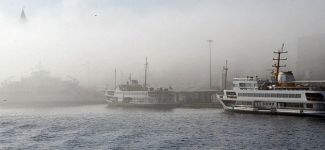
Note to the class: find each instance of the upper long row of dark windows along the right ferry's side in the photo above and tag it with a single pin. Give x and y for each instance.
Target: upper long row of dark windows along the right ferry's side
(277, 95)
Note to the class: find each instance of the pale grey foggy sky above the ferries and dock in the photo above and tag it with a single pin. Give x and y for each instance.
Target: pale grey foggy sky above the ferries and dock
(67, 37)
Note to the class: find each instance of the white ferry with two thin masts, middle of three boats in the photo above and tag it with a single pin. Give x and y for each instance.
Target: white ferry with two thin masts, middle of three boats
(133, 94)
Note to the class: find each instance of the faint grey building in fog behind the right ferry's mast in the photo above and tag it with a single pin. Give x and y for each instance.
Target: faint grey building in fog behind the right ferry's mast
(310, 61)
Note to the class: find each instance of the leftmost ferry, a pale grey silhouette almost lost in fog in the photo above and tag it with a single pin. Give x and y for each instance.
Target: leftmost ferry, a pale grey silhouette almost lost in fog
(43, 89)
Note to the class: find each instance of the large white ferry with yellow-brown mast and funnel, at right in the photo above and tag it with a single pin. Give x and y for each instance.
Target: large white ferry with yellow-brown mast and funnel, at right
(279, 95)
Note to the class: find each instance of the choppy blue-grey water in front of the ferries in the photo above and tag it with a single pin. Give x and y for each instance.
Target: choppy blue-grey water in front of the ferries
(98, 127)
